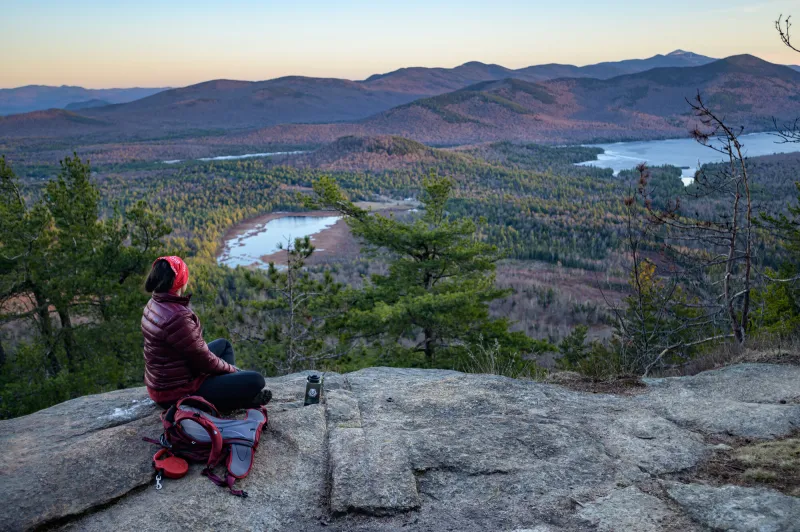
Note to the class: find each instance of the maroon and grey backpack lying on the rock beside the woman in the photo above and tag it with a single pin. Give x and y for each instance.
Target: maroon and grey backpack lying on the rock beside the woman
(193, 430)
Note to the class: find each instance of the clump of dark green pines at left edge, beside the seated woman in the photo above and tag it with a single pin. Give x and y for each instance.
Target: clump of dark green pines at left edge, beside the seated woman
(58, 257)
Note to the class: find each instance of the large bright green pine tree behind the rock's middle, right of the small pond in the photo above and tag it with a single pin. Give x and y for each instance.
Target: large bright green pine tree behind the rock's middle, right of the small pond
(434, 299)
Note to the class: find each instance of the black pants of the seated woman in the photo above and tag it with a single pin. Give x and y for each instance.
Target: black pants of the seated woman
(234, 390)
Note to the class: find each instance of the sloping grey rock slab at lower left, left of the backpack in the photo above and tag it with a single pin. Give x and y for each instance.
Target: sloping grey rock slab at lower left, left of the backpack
(71, 457)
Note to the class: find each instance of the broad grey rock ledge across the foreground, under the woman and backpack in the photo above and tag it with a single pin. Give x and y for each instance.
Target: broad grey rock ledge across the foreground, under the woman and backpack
(401, 449)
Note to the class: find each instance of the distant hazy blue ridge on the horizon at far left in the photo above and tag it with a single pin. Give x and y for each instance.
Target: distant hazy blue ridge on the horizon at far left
(40, 97)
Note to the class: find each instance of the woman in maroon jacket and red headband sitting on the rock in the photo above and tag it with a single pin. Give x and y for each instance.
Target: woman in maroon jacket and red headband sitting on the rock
(178, 362)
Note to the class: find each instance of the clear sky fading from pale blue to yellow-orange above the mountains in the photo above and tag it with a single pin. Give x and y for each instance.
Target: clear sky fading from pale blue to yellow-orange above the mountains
(146, 43)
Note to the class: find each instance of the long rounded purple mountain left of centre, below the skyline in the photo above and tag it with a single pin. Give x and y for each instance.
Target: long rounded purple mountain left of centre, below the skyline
(224, 105)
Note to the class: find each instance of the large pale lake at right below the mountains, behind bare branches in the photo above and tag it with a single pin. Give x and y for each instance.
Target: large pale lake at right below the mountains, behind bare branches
(686, 153)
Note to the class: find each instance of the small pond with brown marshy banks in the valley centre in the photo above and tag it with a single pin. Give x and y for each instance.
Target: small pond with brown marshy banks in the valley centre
(249, 246)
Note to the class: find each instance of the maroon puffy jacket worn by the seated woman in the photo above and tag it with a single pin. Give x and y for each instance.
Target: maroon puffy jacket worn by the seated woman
(176, 357)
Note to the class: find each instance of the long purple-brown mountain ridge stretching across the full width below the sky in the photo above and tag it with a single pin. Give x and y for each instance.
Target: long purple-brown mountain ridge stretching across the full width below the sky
(292, 110)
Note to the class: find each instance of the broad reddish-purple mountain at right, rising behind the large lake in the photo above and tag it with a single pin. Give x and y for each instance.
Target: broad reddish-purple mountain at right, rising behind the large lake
(746, 90)
